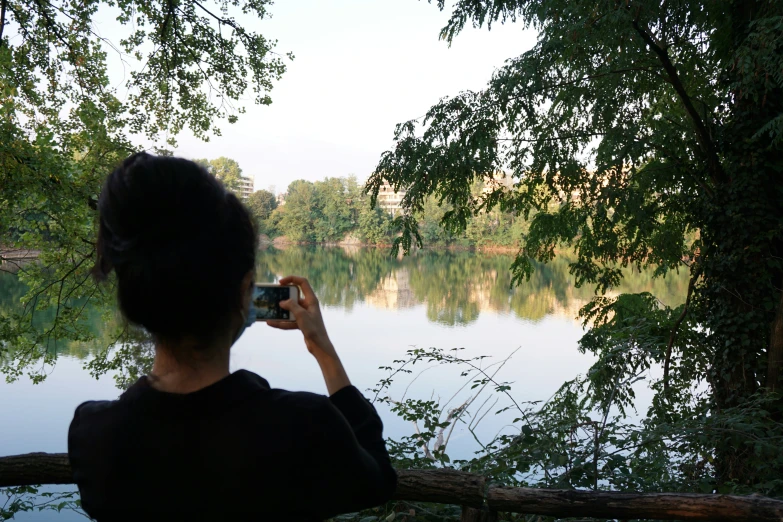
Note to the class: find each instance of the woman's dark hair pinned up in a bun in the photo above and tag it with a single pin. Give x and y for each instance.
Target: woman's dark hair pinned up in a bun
(179, 242)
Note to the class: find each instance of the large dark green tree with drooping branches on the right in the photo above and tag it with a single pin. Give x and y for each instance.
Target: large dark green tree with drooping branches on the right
(628, 127)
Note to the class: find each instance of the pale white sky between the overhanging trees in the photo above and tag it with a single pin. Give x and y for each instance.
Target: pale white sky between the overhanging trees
(360, 67)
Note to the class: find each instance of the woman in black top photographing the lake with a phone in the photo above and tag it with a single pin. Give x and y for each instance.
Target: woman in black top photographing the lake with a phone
(191, 440)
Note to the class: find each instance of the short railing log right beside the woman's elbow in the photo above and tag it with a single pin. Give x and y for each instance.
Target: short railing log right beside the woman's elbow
(445, 486)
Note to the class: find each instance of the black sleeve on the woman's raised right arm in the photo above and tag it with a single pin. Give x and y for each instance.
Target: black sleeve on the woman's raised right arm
(353, 470)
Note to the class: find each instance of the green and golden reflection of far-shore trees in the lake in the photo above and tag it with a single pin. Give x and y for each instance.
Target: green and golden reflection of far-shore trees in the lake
(455, 285)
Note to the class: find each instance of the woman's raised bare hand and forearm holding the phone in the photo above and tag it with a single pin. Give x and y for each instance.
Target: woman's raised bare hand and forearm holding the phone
(307, 319)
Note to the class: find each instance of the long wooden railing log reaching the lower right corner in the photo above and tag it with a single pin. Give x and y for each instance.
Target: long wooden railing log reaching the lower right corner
(660, 506)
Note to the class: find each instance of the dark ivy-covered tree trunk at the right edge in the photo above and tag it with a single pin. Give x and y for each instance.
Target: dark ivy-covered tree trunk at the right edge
(742, 242)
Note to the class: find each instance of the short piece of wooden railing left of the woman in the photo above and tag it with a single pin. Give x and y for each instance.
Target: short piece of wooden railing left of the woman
(35, 468)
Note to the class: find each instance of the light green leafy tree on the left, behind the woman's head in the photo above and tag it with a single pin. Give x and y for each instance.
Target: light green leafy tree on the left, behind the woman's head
(63, 126)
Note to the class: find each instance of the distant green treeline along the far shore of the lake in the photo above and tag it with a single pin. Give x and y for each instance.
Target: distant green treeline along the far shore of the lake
(331, 210)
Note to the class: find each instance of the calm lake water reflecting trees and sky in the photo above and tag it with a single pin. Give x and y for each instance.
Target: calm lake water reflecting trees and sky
(376, 307)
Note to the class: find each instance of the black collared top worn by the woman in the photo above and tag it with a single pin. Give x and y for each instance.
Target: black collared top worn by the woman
(235, 450)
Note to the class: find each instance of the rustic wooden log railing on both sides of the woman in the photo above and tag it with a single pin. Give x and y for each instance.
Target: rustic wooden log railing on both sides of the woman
(481, 501)
